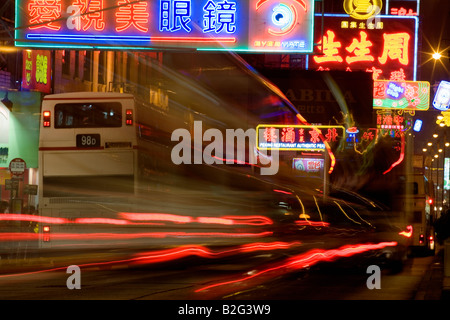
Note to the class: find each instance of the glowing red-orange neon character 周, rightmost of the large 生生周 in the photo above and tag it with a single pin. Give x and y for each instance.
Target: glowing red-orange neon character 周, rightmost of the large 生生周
(395, 47)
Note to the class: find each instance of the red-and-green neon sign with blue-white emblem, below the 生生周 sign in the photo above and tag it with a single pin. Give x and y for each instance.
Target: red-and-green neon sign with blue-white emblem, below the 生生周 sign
(404, 95)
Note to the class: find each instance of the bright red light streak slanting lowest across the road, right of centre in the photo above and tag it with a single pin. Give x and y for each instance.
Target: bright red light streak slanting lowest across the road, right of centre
(306, 260)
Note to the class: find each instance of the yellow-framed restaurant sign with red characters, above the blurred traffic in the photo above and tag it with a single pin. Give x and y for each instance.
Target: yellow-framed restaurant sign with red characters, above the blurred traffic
(297, 137)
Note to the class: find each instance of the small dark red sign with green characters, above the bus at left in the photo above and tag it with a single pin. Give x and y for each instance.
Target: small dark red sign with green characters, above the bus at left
(37, 70)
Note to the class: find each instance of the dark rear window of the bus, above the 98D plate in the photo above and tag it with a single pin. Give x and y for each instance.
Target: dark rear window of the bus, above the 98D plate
(88, 115)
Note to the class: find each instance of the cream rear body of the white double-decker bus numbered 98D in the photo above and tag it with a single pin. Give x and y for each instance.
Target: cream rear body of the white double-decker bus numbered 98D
(79, 181)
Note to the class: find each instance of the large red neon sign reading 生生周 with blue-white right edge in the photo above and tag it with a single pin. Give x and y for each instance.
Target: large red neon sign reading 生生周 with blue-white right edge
(385, 46)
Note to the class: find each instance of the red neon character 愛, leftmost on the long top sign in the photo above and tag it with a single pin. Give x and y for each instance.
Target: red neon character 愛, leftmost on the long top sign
(43, 13)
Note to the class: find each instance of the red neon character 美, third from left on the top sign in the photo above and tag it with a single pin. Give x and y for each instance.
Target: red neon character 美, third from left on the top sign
(134, 14)
